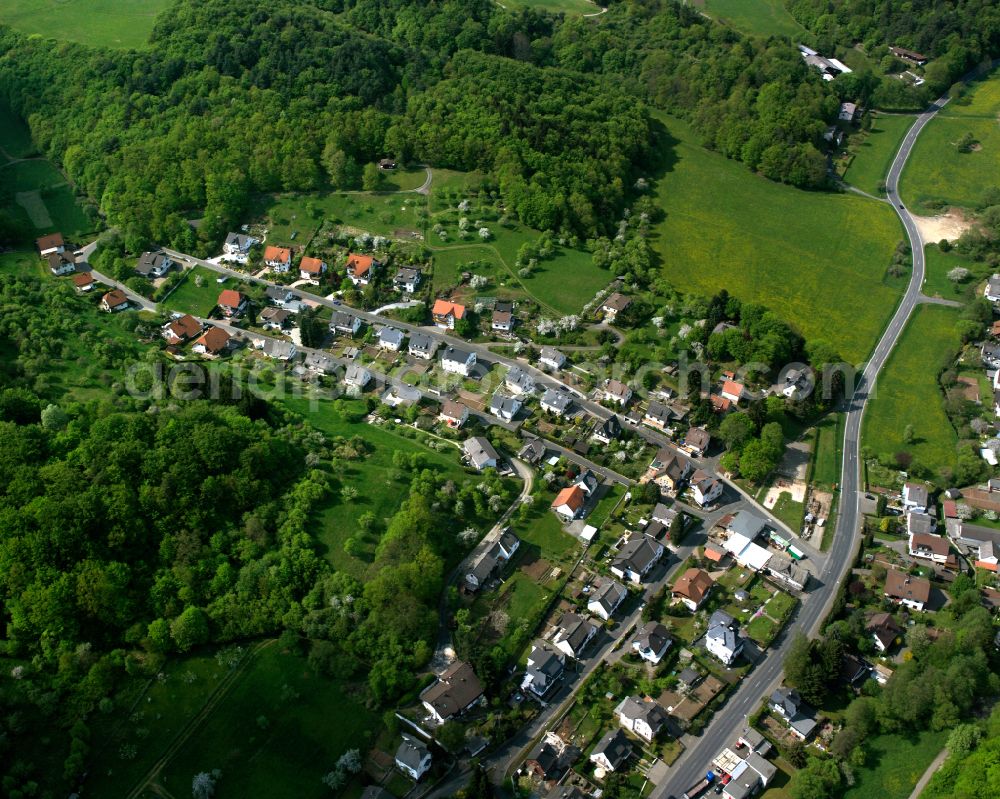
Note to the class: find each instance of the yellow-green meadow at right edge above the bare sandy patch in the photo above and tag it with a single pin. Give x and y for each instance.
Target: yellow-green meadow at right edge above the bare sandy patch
(937, 170)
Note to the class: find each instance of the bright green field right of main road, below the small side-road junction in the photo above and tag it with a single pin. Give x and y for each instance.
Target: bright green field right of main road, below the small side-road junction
(907, 393)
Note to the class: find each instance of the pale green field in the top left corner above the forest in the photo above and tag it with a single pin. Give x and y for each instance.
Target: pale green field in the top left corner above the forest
(104, 23)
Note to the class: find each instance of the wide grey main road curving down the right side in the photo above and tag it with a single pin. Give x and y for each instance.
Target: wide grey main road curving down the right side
(696, 760)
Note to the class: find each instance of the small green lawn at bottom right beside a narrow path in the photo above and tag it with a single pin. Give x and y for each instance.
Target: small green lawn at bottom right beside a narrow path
(894, 763)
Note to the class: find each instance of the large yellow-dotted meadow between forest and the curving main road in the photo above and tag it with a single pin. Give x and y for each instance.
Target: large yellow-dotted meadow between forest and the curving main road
(818, 260)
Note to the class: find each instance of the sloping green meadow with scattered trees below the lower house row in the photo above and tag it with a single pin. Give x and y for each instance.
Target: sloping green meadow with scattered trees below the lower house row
(382, 487)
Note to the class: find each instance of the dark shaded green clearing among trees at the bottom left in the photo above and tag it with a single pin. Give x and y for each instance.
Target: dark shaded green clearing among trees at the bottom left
(276, 733)
